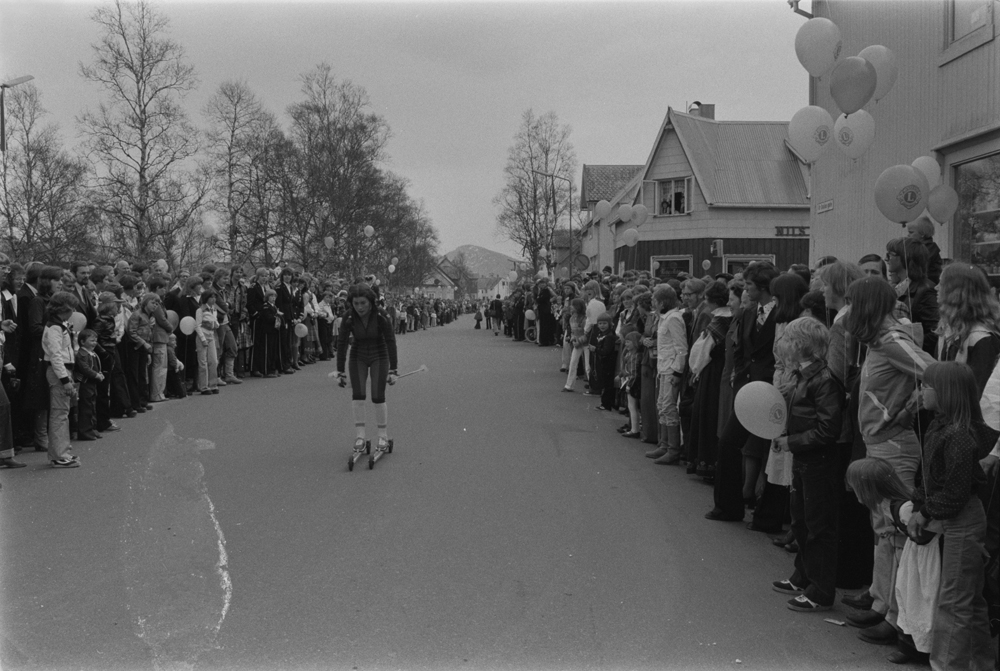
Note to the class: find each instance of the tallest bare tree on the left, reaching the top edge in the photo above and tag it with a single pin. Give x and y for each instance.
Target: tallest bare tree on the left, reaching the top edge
(139, 137)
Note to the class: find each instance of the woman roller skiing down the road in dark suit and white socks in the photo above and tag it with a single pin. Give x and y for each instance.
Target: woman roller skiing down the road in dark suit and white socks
(373, 354)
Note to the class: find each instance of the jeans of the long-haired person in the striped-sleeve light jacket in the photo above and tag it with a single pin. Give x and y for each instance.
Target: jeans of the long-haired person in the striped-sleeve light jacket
(903, 452)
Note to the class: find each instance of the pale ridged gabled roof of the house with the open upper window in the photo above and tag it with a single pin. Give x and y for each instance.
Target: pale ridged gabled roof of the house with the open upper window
(738, 163)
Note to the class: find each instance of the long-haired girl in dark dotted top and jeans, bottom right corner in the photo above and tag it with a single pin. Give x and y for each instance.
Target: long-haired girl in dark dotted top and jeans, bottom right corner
(946, 491)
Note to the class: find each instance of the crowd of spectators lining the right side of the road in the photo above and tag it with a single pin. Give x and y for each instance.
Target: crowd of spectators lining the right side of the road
(889, 371)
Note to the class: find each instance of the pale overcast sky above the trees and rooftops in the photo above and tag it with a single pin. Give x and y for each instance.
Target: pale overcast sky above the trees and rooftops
(452, 79)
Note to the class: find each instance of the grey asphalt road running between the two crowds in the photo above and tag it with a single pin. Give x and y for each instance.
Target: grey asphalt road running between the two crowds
(511, 528)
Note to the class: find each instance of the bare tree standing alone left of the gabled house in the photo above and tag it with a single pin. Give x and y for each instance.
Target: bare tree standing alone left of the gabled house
(529, 203)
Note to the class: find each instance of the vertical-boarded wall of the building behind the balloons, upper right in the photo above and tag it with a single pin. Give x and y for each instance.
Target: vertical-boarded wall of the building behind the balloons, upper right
(934, 104)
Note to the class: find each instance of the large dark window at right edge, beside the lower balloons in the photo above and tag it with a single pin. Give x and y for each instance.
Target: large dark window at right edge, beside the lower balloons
(978, 217)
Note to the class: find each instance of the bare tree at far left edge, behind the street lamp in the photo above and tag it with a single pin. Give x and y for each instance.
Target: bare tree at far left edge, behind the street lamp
(43, 186)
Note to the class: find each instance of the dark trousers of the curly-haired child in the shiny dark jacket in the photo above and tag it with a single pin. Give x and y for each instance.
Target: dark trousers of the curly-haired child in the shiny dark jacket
(815, 501)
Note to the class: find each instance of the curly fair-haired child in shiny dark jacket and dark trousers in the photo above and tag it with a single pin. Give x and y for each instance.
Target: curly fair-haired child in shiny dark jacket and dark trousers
(815, 417)
